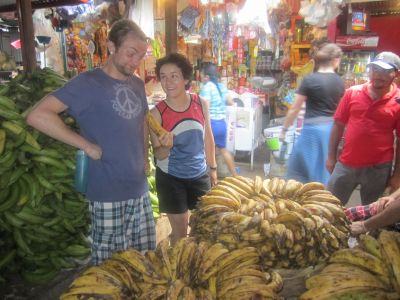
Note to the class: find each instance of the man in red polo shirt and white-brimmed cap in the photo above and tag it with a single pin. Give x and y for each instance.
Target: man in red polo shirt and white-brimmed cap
(370, 113)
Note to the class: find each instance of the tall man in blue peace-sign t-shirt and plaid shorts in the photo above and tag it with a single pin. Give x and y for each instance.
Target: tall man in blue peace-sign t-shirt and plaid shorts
(109, 104)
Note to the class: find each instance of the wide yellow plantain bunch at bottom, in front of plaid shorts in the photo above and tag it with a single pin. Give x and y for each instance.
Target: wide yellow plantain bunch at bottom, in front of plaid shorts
(188, 271)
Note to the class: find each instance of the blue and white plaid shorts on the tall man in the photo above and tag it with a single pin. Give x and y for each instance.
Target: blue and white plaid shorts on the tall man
(120, 225)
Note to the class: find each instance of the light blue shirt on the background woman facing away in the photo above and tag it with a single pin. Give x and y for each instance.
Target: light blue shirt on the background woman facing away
(209, 92)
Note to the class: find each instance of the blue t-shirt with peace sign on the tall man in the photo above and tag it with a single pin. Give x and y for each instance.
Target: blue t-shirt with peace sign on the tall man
(110, 113)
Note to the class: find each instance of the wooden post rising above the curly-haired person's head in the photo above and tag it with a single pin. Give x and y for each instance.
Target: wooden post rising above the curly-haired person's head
(171, 35)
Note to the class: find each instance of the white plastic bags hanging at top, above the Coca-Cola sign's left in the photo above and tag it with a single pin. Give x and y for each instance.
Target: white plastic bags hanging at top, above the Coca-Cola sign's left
(320, 12)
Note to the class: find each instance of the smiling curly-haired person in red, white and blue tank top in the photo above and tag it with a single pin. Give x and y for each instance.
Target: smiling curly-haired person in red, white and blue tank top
(183, 153)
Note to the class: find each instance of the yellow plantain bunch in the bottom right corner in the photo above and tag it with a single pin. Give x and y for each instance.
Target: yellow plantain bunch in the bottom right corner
(369, 271)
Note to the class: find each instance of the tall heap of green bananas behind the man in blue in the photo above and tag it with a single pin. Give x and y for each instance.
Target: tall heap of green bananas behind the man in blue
(46, 220)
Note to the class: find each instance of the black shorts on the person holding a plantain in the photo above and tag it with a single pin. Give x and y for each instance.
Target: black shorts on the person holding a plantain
(178, 195)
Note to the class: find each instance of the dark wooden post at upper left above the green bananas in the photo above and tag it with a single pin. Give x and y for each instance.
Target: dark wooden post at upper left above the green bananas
(24, 11)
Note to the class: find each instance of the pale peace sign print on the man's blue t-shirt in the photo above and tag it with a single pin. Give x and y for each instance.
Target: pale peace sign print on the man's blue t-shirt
(126, 103)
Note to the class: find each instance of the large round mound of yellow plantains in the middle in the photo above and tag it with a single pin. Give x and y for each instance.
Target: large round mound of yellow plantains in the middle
(292, 224)
